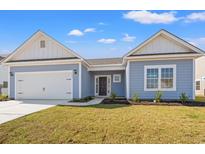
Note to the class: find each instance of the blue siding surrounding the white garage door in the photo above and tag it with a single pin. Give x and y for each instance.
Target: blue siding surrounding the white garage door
(46, 68)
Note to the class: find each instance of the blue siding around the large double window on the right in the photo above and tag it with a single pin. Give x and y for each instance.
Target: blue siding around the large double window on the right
(184, 79)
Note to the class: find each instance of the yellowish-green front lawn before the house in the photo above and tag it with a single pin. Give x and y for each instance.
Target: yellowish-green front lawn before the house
(108, 124)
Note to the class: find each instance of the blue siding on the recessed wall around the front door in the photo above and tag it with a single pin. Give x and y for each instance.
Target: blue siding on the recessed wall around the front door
(118, 88)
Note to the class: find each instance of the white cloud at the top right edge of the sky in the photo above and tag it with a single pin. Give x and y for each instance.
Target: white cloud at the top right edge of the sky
(196, 16)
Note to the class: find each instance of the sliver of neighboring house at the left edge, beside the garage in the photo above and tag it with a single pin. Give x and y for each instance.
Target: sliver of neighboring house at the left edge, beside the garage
(3, 77)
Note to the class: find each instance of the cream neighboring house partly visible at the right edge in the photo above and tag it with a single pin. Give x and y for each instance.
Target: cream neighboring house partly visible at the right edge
(200, 76)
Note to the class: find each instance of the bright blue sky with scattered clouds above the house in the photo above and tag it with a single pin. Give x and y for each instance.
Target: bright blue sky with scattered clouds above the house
(98, 34)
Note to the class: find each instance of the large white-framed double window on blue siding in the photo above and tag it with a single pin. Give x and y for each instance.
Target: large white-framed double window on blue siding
(160, 77)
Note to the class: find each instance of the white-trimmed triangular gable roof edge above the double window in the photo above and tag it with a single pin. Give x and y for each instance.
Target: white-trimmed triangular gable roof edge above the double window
(170, 36)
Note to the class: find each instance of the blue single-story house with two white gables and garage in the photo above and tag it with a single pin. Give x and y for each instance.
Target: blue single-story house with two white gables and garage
(43, 68)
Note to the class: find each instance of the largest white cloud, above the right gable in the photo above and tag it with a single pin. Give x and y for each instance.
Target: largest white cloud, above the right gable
(147, 17)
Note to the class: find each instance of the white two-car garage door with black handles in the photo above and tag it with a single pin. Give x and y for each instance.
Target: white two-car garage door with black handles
(44, 85)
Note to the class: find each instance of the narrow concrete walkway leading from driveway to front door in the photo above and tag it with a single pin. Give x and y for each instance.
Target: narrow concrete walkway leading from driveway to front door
(95, 101)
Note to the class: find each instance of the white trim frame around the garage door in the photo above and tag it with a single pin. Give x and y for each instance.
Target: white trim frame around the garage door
(43, 72)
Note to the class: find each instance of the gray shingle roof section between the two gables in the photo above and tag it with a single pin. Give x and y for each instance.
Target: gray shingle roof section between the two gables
(104, 61)
